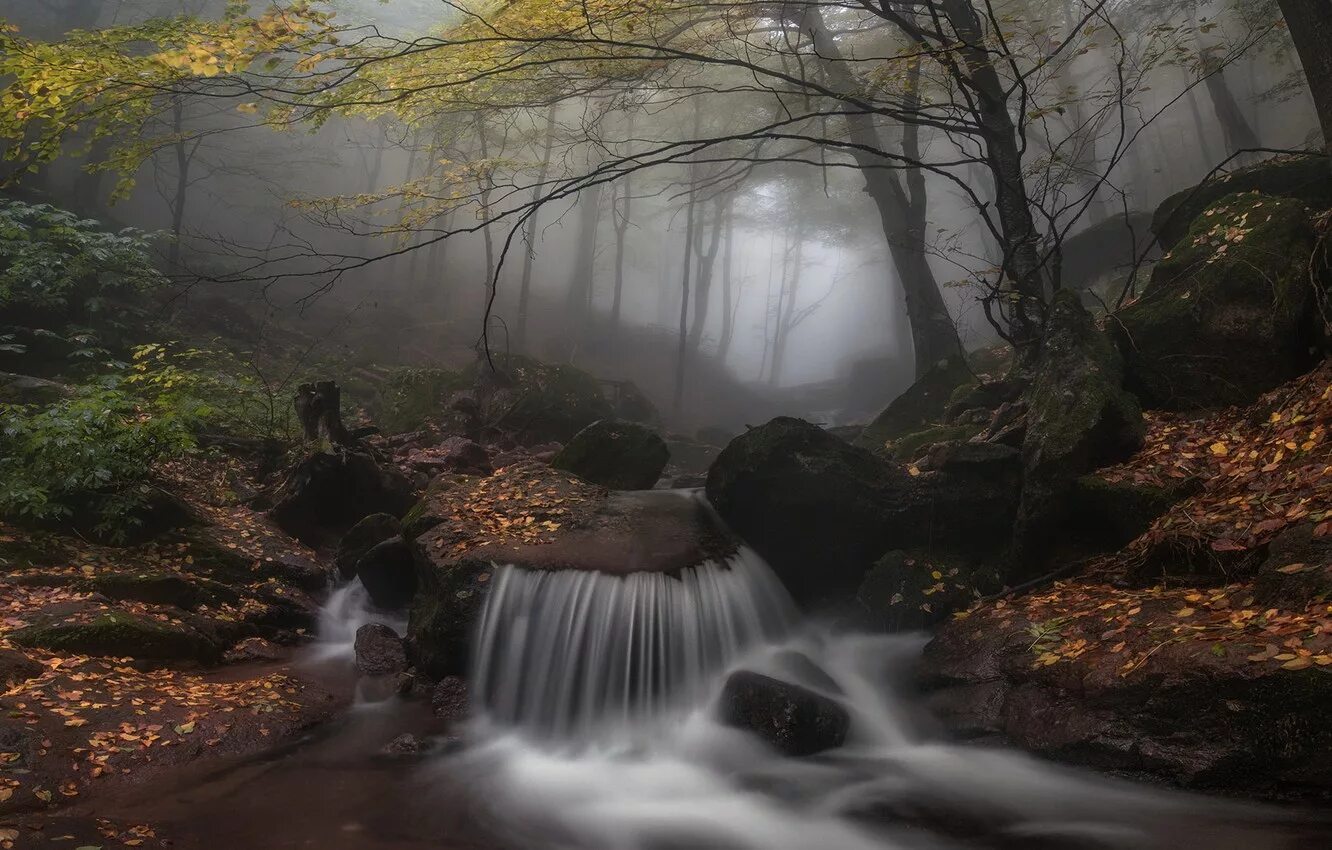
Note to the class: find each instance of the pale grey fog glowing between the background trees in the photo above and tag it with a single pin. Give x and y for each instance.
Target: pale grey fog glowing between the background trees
(379, 230)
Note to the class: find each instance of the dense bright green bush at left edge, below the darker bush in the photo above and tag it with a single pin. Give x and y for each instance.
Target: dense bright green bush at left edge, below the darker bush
(90, 456)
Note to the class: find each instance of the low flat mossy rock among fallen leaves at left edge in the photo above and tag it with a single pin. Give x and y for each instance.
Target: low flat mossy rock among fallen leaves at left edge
(121, 635)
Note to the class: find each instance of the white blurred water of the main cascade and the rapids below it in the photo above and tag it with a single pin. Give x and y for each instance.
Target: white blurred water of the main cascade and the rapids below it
(573, 755)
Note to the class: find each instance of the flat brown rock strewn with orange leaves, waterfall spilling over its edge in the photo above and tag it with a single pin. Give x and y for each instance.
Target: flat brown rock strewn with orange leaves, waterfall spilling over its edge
(549, 520)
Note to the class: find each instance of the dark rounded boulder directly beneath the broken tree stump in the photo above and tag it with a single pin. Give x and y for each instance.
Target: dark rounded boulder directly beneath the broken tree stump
(328, 494)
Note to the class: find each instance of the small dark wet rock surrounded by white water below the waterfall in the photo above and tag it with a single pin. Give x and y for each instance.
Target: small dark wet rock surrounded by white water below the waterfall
(792, 719)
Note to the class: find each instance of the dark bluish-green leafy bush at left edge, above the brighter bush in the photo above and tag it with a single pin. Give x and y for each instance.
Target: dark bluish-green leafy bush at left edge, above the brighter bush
(61, 276)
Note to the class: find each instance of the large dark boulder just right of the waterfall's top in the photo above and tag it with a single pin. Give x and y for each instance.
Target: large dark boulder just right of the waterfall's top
(809, 503)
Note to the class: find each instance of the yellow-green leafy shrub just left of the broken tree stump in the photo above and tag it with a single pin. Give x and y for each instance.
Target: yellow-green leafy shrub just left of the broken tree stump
(210, 391)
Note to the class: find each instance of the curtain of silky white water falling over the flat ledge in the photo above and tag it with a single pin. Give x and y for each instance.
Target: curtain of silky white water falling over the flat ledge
(565, 655)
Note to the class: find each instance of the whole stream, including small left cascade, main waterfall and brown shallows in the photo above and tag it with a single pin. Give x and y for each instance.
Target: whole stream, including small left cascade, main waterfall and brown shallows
(565, 755)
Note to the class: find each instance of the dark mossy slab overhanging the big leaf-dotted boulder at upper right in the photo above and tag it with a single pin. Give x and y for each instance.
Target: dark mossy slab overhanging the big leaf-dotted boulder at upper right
(1303, 178)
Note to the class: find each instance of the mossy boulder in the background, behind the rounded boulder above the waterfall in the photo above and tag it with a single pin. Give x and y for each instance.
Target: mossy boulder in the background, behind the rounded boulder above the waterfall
(539, 402)
